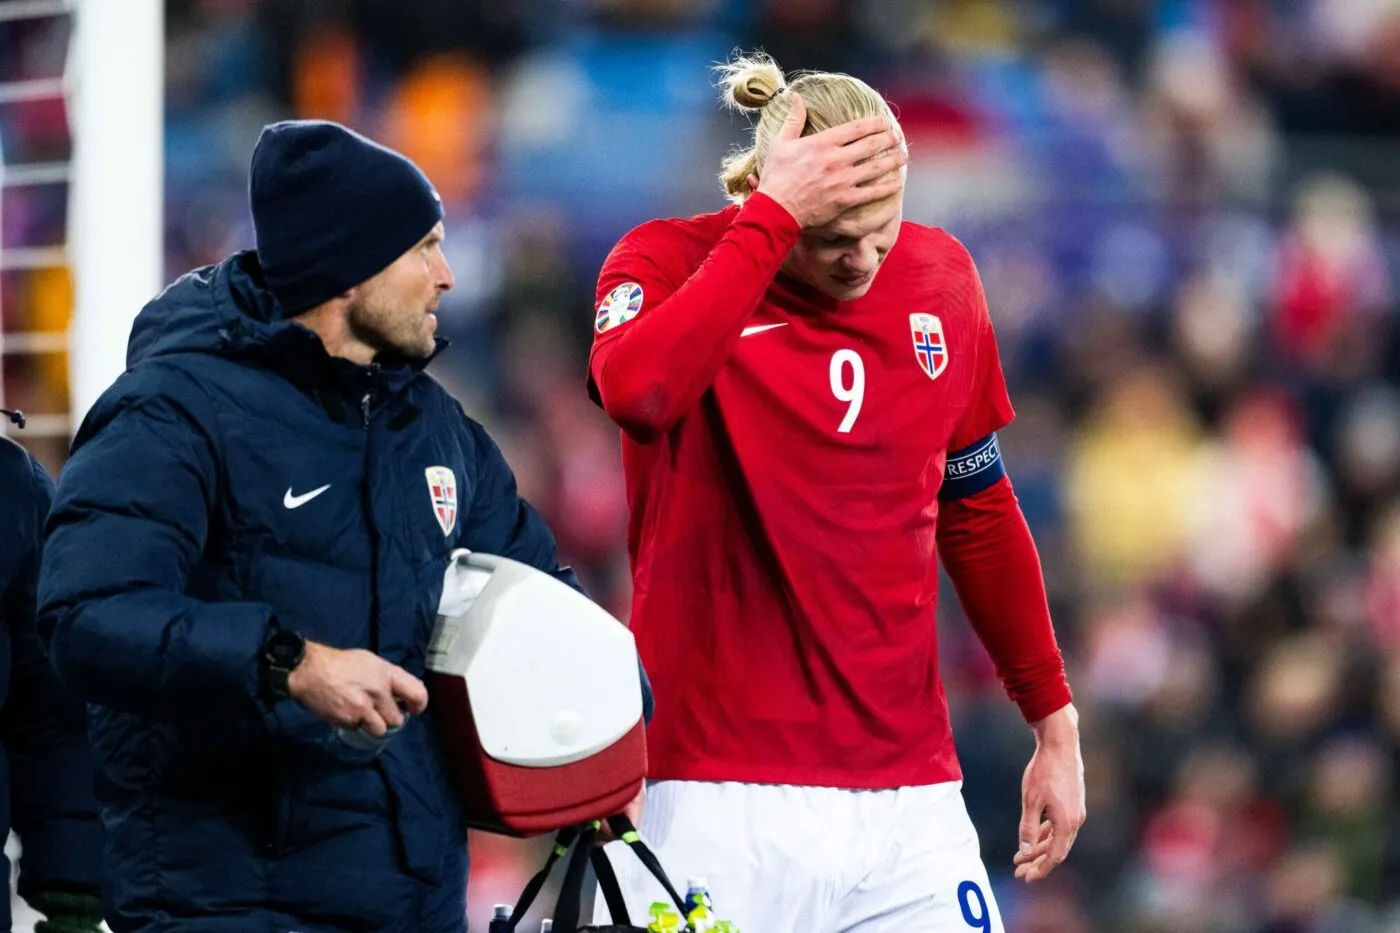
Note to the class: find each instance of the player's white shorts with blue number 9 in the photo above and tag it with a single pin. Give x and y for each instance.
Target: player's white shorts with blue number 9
(783, 859)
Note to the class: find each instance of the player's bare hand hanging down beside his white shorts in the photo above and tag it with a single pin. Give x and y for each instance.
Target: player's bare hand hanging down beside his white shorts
(1052, 796)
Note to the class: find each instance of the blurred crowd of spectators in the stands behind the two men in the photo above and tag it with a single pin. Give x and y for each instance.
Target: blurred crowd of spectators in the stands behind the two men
(1188, 219)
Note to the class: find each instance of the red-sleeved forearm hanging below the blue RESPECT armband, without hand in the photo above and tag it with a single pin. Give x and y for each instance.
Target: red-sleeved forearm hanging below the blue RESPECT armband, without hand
(992, 560)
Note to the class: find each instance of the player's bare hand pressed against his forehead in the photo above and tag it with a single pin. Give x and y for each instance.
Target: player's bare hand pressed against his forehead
(820, 177)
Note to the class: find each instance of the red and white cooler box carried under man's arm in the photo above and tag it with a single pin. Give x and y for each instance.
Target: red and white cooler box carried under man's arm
(537, 697)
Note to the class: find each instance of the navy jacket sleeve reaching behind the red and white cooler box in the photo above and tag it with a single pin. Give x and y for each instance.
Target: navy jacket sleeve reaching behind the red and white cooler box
(502, 523)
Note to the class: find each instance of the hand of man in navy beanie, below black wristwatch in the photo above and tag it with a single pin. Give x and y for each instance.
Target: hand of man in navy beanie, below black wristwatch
(356, 690)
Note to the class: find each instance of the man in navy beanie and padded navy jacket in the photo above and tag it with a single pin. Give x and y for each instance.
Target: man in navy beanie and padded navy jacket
(246, 558)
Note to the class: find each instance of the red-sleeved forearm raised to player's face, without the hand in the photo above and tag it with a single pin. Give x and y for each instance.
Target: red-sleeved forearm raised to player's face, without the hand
(660, 365)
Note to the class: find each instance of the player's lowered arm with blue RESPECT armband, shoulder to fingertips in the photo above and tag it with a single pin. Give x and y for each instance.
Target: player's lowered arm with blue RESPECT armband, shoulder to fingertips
(988, 550)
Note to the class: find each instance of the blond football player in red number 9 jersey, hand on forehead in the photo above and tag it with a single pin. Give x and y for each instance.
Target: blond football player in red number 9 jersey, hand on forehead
(810, 390)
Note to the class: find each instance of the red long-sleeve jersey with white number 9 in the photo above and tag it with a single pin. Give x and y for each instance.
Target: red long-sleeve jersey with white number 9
(783, 456)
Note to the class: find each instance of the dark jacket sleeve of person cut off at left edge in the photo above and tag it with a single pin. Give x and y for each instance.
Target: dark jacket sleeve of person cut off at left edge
(44, 729)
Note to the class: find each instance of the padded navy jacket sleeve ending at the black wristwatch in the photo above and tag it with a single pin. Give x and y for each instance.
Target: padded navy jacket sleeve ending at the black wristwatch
(131, 520)
